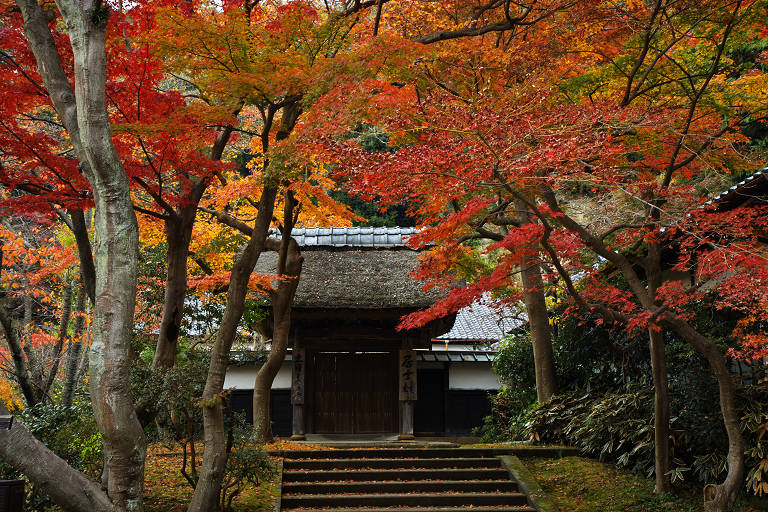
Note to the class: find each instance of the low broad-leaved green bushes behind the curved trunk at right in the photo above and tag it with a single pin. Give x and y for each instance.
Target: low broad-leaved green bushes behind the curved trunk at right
(617, 426)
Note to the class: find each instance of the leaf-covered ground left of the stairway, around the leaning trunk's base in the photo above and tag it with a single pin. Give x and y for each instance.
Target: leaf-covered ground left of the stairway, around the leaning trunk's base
(166, 490)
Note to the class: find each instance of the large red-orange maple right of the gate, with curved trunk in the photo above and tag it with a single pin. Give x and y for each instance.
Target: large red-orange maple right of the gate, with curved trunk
(585, 144)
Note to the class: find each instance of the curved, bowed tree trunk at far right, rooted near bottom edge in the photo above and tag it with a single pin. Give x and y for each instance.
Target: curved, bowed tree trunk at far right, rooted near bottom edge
(723, 496)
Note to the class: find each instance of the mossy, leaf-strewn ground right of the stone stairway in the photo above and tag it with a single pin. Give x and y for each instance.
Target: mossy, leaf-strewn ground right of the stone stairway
(578, 484)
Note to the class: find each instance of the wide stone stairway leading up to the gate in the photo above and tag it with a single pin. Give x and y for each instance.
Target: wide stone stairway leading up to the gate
(399, 480)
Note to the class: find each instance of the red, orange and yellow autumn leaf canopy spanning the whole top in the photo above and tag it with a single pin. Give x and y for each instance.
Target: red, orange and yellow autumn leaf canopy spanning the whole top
(586, 138)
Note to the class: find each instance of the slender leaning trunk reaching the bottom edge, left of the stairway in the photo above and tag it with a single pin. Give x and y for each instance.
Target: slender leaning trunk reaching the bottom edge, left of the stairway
(206, 496)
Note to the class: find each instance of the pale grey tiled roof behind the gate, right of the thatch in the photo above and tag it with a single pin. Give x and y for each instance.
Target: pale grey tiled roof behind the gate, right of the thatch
(481, 322)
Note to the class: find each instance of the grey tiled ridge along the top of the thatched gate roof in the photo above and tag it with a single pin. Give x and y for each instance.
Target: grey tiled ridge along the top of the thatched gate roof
(351, 237)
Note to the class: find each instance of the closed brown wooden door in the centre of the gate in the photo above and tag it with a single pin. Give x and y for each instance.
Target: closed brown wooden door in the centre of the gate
(352, 393)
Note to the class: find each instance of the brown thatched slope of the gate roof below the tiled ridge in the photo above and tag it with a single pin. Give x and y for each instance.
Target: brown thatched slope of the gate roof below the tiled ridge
(356, 278)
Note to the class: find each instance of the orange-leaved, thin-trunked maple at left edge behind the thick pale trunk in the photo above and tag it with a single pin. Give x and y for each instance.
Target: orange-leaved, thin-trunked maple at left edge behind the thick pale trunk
(36, 311)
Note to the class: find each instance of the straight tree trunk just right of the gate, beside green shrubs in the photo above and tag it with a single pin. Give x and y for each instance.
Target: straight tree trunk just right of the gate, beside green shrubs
(538, 318)
